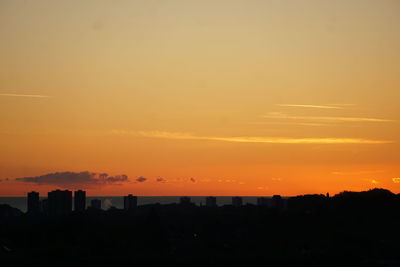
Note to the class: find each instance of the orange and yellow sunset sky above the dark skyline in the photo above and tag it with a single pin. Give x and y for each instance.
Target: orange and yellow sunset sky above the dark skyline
(220, 97)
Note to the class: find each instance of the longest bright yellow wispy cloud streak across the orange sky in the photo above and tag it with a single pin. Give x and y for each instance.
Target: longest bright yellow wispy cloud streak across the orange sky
(250, 139)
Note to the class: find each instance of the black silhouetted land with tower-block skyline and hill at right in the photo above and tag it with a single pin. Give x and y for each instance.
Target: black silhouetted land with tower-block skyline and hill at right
(348, 229)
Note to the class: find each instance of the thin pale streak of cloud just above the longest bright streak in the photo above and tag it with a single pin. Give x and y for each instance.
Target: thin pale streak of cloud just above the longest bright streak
(278, 115)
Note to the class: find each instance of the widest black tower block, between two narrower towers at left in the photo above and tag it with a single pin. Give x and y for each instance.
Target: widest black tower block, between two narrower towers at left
(59, 202)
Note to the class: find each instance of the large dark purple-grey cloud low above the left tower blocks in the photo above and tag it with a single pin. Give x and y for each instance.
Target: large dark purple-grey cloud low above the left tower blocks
(75, 179)
